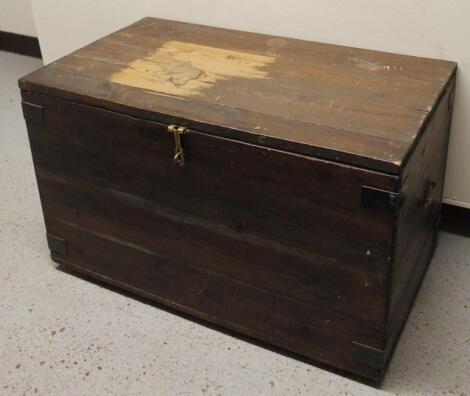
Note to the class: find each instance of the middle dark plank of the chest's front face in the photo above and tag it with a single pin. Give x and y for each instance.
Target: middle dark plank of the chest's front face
(353, 290)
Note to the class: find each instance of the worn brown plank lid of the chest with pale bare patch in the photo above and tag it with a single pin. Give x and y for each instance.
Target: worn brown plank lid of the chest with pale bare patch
(355, 106)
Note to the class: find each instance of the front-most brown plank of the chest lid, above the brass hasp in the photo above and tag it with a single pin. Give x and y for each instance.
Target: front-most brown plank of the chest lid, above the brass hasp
(316, 141)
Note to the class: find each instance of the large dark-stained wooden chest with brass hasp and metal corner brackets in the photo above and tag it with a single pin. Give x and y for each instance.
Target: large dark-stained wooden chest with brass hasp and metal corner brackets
(287, 190)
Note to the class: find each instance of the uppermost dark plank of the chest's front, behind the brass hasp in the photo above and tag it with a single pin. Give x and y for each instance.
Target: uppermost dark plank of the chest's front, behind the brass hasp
(140, 164)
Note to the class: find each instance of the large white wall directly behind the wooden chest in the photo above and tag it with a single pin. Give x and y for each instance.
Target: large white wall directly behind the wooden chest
(432, 28)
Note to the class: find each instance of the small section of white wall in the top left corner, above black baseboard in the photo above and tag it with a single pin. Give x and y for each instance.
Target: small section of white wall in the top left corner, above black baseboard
(16, 16)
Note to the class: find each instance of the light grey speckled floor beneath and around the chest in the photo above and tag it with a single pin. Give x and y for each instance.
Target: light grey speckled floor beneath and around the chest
(60, 335)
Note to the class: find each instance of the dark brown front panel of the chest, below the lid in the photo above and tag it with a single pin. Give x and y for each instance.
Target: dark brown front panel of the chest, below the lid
(275, 245)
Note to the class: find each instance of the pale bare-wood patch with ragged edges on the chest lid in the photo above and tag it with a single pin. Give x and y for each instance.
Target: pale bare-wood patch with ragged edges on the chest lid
(185, 69)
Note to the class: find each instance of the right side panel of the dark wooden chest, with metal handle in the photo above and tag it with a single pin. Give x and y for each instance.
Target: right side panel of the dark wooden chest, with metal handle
(422, 186)
